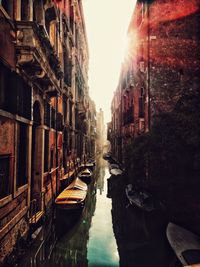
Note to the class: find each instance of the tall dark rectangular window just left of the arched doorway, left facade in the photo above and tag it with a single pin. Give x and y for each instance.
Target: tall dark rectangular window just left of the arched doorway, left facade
(22, 145)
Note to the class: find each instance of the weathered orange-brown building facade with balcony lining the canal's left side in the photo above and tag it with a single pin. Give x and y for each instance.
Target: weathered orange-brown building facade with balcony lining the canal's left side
(44, 103)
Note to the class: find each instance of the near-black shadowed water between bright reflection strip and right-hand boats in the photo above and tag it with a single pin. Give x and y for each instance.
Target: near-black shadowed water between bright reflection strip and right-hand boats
(140, 235)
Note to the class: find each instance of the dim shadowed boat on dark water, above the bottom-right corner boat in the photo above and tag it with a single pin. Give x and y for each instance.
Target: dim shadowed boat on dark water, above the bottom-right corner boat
(142, 199)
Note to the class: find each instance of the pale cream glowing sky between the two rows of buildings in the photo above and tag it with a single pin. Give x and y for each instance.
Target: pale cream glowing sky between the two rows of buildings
(106, 25)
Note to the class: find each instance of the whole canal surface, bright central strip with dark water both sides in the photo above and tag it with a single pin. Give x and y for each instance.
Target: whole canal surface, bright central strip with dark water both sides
(107, 233)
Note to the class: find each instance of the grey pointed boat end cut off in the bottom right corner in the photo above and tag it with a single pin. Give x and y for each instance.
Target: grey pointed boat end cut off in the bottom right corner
(185, 244)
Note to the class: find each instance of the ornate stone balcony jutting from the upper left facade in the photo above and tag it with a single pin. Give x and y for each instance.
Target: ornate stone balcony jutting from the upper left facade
(36, 56)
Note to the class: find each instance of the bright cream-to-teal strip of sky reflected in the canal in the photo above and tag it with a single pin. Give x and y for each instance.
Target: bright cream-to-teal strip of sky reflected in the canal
(102, 249)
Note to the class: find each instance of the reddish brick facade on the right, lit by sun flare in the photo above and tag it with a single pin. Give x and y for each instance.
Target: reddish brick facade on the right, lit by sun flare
(161, 64)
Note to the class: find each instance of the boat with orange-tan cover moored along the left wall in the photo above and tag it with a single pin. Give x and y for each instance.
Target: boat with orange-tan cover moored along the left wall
(73, 196)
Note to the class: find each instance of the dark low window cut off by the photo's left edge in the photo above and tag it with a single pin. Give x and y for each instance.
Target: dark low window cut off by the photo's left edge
(4, 176)
